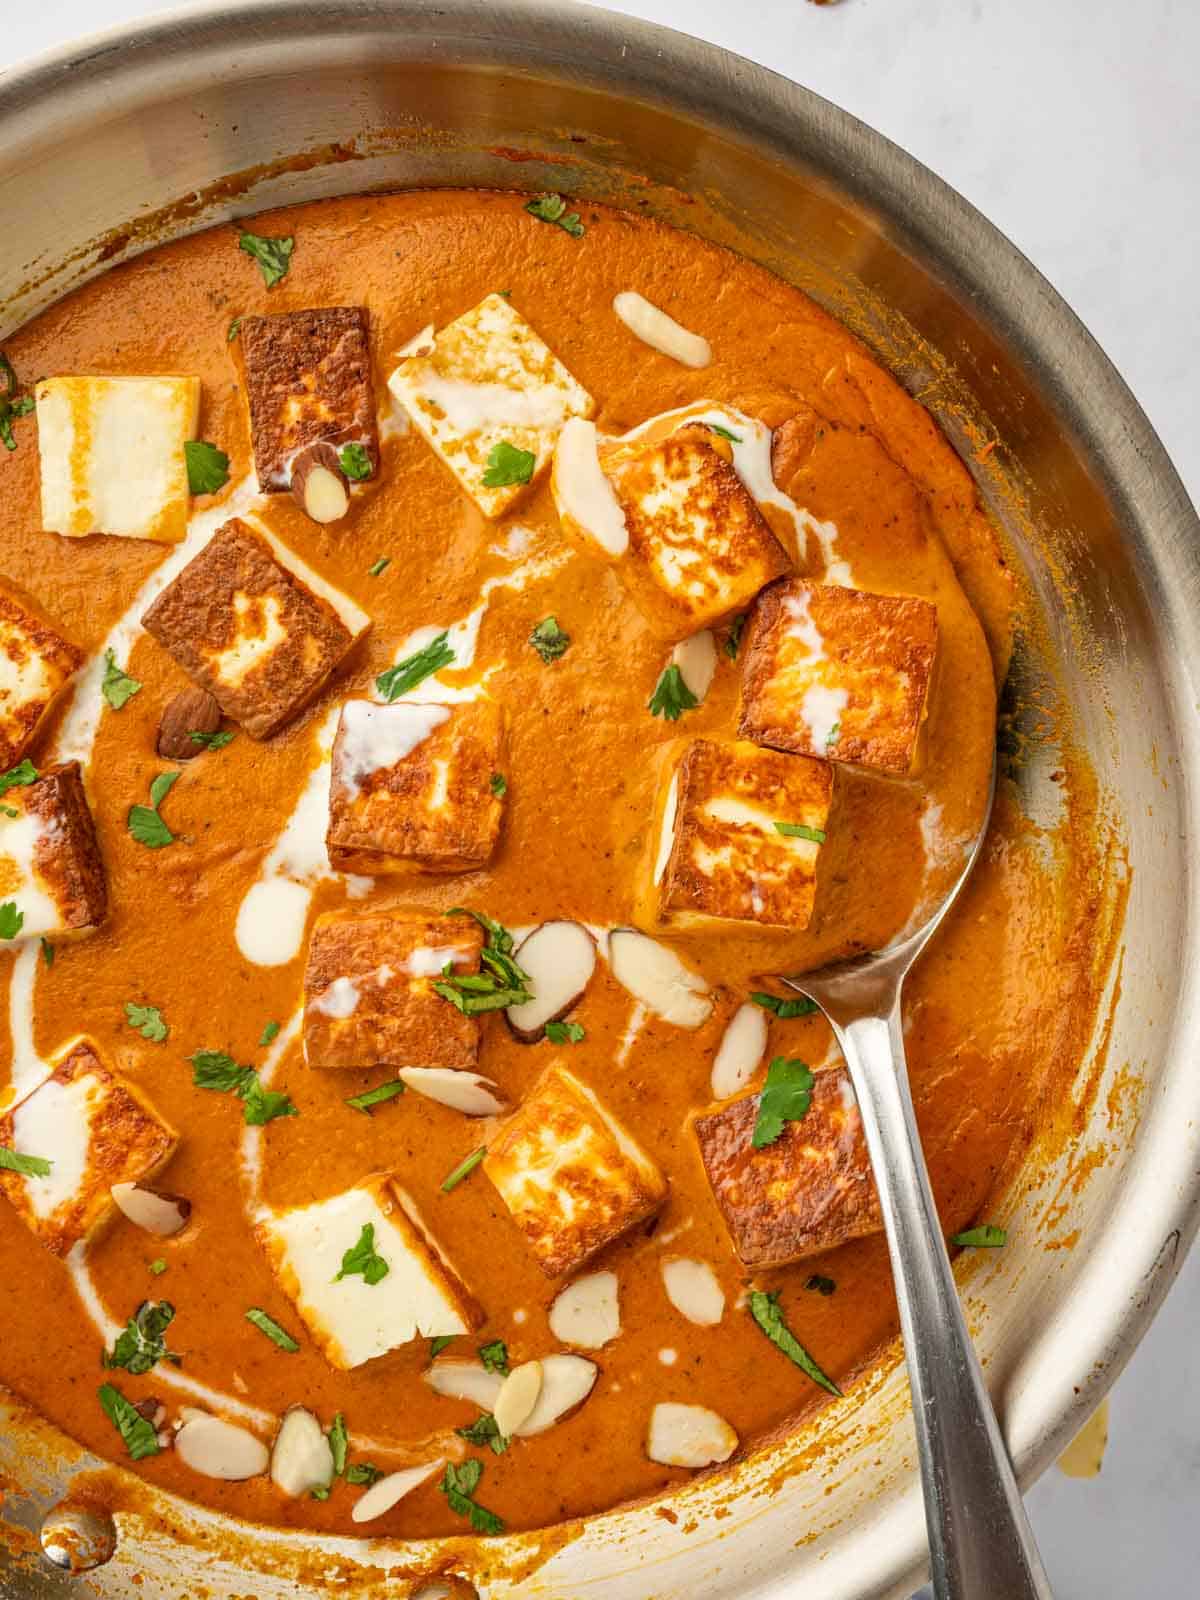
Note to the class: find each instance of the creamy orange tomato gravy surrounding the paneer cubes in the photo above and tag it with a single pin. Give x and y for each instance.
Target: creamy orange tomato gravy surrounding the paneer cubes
(881, 492)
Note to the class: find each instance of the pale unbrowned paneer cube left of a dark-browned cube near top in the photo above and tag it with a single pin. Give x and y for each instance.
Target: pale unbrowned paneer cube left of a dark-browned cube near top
(113, 455)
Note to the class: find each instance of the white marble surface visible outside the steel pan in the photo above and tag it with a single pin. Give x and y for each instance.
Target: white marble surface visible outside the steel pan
(1076, 127)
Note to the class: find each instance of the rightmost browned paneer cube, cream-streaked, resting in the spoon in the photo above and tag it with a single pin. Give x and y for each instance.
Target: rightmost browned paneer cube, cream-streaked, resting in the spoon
(839, 674)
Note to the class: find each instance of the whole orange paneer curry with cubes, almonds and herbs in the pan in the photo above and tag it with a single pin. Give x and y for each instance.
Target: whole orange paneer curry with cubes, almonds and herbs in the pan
(406, 1060)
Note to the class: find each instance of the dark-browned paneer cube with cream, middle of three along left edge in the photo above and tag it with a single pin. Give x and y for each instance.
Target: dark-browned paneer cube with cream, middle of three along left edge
(50, 863)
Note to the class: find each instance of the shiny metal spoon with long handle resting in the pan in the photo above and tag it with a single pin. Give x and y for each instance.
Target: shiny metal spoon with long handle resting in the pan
(982, 1545)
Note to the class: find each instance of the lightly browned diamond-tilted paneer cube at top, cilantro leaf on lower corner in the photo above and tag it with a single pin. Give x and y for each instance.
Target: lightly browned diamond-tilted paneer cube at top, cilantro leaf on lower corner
(487, 391)
